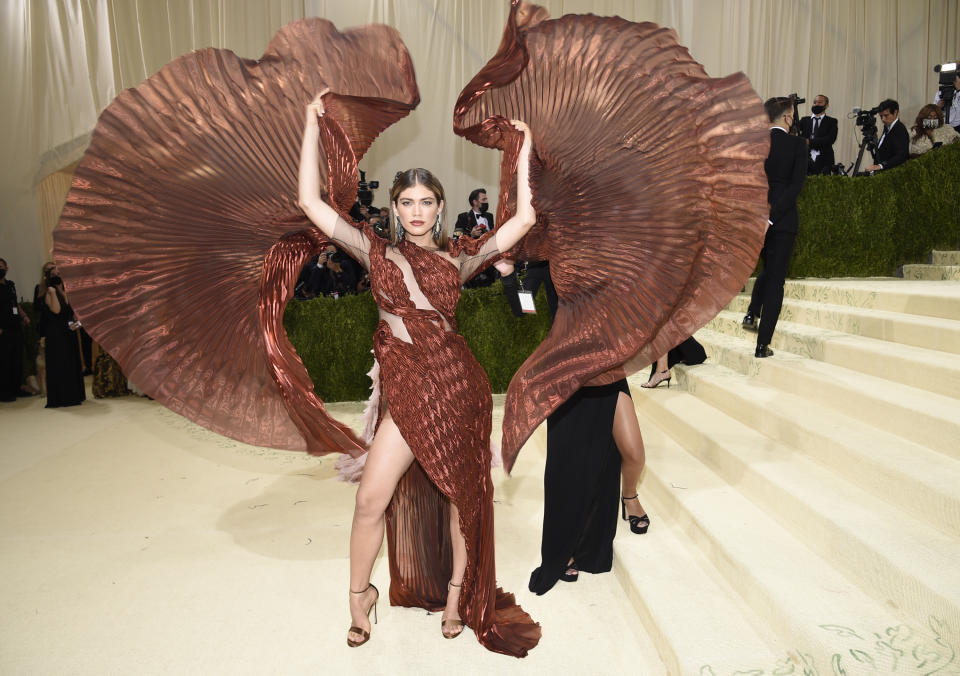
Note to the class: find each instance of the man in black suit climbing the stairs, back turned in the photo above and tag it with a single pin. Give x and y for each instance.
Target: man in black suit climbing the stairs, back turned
(786, 168)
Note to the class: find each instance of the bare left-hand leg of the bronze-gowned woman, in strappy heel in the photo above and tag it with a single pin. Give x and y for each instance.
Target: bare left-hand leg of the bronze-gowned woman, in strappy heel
(389, 458)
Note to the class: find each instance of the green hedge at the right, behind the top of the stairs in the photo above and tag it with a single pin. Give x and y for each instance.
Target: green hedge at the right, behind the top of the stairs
(870, 225)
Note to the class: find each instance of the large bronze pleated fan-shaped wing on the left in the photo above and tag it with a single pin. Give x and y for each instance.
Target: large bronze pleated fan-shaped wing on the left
(181, 238)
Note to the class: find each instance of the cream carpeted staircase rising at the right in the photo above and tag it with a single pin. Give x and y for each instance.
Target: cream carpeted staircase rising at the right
(806, 507)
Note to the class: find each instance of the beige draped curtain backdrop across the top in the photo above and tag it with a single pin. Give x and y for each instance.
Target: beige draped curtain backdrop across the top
(63, 61)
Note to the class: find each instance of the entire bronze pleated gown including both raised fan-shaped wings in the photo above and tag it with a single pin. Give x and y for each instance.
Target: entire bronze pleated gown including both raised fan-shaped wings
(196, 170)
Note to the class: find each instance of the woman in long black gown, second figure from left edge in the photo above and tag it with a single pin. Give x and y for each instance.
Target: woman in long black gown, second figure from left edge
(64, 370)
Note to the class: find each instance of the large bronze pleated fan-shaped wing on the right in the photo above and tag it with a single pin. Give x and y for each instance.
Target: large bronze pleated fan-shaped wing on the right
(648, 183)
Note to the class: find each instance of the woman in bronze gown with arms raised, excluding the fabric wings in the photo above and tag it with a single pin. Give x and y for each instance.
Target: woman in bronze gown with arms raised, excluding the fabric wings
(435, 406)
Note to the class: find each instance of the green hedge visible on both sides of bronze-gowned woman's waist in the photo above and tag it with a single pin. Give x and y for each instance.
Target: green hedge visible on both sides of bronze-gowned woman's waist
(334, 338)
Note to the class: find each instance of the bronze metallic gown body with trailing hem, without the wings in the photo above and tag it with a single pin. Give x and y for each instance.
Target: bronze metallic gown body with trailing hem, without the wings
(439, 397)
